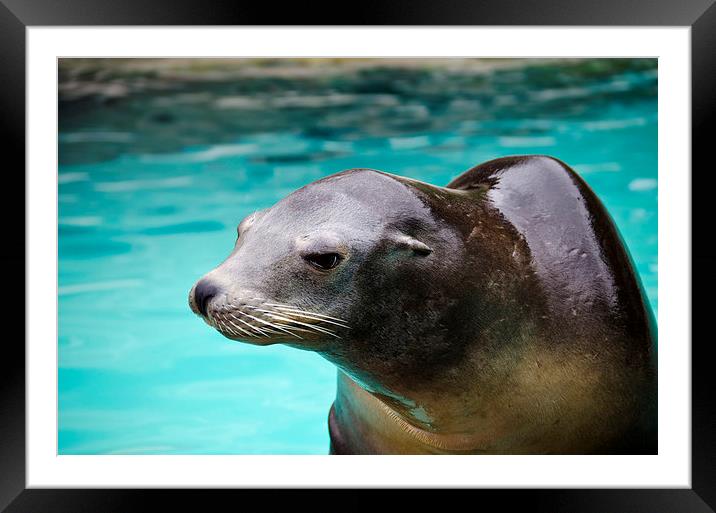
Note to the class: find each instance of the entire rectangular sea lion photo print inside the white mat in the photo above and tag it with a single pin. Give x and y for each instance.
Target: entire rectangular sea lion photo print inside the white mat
(357, 256)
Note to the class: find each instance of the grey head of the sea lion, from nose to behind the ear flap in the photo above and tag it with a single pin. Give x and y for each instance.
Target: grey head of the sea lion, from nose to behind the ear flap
(357, 262)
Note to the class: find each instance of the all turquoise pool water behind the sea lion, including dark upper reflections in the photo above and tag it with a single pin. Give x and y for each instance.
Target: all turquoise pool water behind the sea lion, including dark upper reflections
(157, 169)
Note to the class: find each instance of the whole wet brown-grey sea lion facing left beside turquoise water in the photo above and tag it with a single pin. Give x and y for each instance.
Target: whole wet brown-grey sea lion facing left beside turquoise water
(500, 314)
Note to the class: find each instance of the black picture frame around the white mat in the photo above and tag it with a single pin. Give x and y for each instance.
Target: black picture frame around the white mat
(17, 15)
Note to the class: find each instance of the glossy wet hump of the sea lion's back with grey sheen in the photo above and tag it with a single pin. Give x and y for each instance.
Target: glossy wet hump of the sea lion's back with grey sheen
(575, 247)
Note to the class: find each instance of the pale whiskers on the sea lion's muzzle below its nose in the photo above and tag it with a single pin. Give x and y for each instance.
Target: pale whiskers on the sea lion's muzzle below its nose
(268, 320)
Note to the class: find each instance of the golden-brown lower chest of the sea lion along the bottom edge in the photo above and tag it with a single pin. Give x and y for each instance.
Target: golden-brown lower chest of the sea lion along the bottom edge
(534, 407)
